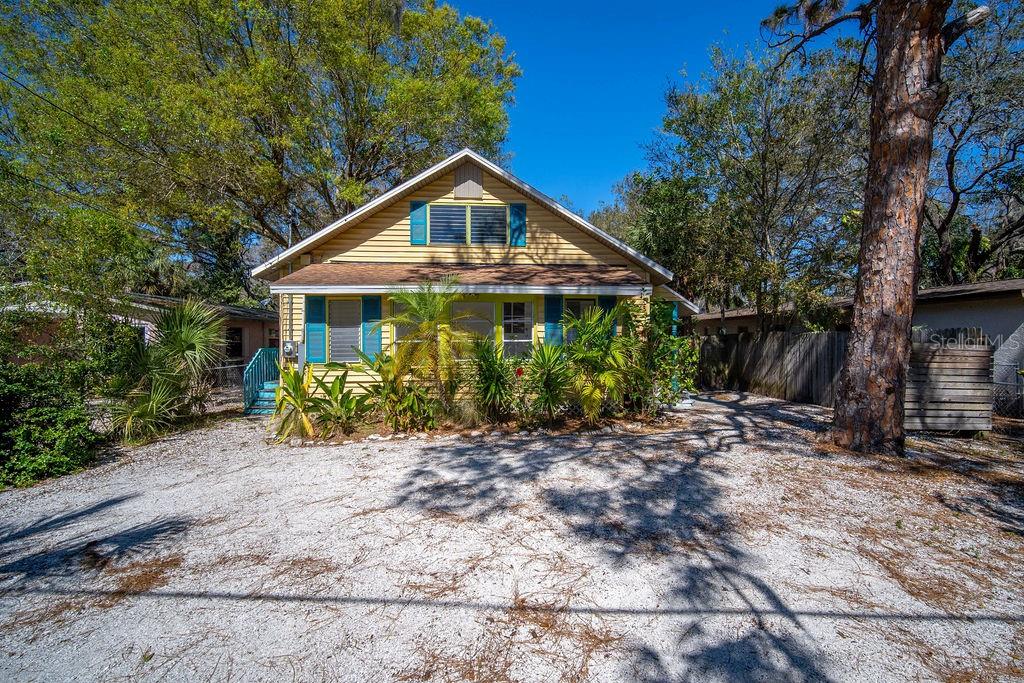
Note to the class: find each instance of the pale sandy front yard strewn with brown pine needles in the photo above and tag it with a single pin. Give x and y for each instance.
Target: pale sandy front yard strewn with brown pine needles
(729, 543)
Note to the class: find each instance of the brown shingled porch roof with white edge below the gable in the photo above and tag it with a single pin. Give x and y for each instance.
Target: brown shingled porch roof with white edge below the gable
(497, 278)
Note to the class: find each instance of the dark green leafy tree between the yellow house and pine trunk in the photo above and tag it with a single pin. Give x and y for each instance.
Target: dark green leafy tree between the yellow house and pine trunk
(756, 181)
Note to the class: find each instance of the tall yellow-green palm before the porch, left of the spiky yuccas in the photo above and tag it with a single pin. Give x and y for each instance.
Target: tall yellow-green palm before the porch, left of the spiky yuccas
(432, 344)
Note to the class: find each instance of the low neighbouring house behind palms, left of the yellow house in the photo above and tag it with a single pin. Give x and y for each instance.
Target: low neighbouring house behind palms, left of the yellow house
(246, 330)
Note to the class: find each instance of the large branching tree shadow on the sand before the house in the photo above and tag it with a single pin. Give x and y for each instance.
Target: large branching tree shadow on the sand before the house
(645, 499)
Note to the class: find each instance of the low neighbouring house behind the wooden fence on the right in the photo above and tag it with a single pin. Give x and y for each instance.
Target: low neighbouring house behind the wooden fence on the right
(997, 308)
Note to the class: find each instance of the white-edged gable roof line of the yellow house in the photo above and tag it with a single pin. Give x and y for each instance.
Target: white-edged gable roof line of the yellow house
(436, 173)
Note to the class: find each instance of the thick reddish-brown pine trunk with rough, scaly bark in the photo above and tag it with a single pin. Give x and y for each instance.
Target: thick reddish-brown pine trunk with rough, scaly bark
(908, 97)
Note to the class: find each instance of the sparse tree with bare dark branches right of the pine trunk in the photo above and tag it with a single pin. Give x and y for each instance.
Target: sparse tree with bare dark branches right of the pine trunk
(974, 219)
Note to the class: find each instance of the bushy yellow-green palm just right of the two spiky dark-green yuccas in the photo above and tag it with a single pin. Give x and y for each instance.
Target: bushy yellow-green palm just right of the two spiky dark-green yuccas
(596, 361)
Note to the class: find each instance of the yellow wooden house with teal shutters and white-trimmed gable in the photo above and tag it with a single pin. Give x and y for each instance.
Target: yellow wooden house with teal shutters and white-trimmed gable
(522, 262)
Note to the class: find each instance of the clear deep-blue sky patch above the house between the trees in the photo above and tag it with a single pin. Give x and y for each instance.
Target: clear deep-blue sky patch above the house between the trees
(594, 80)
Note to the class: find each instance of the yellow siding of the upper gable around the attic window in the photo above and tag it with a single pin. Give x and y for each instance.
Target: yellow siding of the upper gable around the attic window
(385, 237)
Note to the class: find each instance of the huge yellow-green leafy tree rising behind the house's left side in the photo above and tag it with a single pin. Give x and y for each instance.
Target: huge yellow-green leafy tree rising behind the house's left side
(231, 130)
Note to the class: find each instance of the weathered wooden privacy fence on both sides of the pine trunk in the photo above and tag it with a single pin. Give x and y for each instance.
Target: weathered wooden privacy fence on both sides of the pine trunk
(950, 386)
